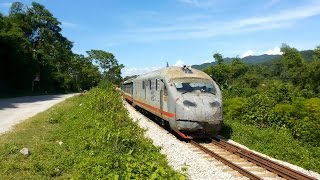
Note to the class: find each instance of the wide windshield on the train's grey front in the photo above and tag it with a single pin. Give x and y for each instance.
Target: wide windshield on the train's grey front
(185, 87)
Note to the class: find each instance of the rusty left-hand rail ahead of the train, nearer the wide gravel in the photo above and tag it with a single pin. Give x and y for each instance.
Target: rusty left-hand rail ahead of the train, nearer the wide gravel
(225, 161)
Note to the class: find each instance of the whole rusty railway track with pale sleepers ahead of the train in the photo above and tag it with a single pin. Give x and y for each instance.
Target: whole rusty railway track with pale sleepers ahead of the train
(247, 163)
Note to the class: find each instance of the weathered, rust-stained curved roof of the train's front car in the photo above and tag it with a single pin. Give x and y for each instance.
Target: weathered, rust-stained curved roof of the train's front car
(177, 73)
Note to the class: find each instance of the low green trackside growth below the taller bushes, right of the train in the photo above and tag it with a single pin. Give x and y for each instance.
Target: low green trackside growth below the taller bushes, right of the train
(277, 143)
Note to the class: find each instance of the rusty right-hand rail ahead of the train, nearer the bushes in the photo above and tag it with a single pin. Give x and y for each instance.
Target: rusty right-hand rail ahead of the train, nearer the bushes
(266, 163)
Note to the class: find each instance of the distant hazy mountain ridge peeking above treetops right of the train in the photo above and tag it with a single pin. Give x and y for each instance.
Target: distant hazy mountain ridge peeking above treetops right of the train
(307, 55)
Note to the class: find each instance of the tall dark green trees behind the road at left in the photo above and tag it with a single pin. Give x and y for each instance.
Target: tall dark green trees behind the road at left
(36, 57)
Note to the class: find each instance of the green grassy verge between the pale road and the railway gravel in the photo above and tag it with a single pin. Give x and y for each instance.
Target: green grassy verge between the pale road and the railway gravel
(89, 136)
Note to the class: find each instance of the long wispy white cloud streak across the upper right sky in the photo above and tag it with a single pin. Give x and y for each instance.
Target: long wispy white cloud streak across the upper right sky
(201, 26)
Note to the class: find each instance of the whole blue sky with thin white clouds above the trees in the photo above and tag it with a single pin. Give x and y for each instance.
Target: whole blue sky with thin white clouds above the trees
(145, 34)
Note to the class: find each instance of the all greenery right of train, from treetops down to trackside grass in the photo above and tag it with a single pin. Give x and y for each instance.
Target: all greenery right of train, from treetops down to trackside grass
(274, 107)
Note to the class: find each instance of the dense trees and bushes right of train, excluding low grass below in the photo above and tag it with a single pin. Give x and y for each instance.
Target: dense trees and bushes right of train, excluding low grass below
(282, 94)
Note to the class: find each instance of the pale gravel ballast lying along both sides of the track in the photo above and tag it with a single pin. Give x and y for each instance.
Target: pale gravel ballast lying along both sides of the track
(182, 158)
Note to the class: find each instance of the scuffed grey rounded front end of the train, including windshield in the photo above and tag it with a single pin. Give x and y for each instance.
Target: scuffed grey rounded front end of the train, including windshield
(199, 110)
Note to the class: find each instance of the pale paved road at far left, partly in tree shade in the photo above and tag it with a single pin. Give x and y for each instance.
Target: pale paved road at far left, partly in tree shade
(15, 110)
